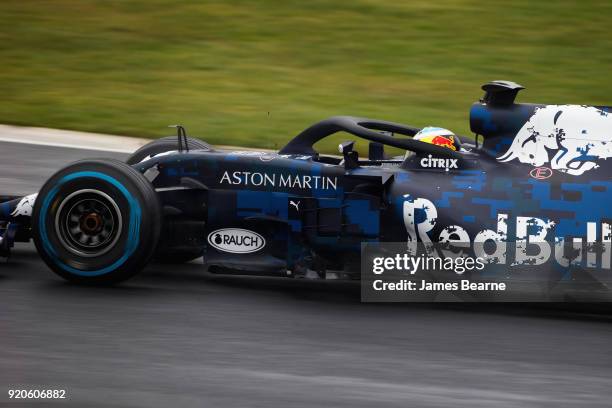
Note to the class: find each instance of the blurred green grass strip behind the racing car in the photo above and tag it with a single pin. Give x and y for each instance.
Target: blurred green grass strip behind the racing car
(257, 72)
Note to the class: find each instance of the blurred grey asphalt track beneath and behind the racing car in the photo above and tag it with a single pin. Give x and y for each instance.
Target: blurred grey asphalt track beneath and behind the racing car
(179, 337)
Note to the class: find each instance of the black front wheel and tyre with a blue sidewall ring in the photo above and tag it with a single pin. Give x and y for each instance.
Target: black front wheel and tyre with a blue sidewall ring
(96, 222)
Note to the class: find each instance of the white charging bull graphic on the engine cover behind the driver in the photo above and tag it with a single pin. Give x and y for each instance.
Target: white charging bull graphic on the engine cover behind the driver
(569, 138)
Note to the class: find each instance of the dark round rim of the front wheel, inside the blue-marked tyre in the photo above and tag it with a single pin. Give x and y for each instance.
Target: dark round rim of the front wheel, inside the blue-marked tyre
(88, 223)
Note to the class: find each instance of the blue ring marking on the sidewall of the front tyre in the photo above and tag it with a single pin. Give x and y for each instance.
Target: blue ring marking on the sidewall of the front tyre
(133, 238)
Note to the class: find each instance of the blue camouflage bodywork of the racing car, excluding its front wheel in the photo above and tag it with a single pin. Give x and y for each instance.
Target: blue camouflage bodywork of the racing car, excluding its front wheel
(534, 173)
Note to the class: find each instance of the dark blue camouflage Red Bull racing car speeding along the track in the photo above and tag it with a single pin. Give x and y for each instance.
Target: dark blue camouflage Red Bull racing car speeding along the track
(532, 173)
